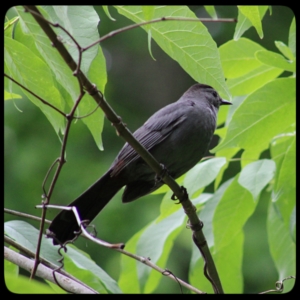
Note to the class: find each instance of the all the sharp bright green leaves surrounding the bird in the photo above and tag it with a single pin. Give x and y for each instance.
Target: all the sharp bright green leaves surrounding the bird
(259, 129)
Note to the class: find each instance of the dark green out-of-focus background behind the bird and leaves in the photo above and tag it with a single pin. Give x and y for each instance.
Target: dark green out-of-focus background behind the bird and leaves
(137, 87)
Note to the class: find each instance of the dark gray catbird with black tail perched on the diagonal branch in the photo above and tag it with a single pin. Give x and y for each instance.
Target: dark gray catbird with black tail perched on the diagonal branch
(178, 135)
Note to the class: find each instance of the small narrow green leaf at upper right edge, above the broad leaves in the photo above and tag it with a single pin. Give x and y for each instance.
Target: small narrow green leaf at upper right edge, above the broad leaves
(275, 60)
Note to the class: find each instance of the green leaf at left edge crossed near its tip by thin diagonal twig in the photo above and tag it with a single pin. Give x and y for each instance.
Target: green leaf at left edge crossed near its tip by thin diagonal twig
(33, 73)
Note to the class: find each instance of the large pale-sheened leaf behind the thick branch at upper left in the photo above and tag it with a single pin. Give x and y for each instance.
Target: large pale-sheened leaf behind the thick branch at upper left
(85, 31)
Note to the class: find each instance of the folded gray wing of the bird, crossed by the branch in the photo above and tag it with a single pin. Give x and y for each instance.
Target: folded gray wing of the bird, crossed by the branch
(154, 131)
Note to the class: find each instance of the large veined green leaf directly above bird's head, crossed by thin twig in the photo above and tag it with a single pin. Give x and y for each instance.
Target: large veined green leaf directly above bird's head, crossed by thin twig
(189, 43)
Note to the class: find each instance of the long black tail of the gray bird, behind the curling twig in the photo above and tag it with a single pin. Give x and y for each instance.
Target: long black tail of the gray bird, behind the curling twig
(88, 205)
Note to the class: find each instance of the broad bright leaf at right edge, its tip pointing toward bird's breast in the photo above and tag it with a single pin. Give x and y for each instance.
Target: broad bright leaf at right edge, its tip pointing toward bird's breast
(261, 116)
